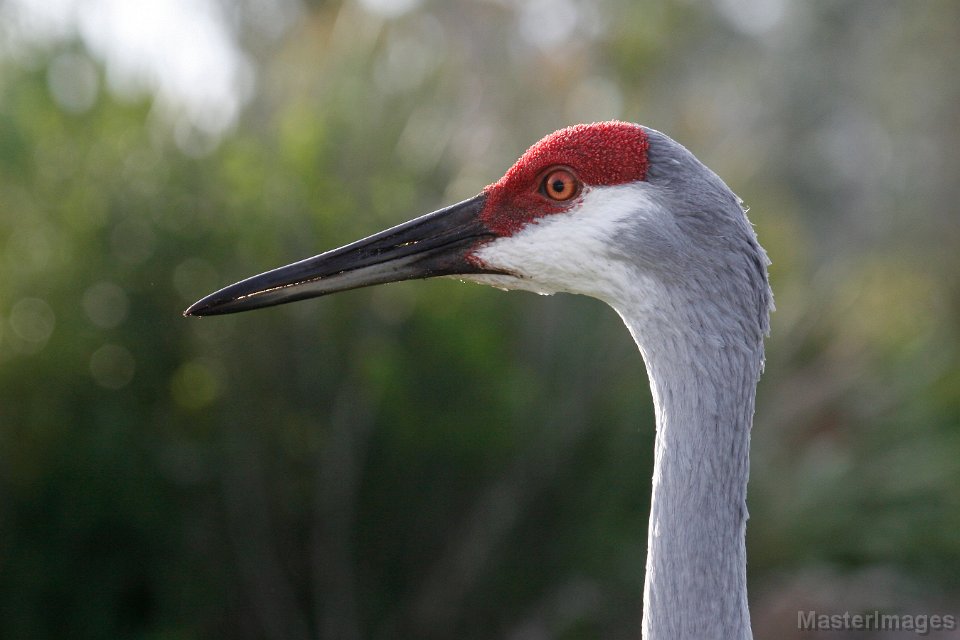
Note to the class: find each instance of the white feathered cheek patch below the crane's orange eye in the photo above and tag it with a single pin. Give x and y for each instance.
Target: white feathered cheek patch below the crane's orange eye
(571, 251)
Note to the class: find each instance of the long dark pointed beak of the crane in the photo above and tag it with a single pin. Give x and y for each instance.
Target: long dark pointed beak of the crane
(436, 244)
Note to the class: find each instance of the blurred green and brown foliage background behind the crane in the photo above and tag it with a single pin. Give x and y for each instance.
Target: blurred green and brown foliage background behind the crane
(433, 459)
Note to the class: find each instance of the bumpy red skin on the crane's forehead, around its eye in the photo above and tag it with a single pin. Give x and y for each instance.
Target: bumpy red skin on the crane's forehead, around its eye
(601, 154)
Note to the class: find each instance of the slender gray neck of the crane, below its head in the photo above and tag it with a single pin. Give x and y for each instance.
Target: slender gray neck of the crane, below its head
(703, 389)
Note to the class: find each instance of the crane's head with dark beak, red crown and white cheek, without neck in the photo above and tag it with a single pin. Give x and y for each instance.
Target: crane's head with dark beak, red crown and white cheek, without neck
(585, 210)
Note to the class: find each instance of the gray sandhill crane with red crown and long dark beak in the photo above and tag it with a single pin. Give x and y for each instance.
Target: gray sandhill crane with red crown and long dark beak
(622, 213)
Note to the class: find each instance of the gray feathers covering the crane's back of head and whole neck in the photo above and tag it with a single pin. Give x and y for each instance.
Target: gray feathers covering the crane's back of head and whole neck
(699, 313)
